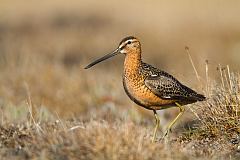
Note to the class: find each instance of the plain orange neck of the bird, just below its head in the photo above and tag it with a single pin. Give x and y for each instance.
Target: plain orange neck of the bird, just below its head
(132, 63)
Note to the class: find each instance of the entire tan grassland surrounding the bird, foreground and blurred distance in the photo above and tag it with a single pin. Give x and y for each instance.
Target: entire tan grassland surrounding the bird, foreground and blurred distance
(50, 108)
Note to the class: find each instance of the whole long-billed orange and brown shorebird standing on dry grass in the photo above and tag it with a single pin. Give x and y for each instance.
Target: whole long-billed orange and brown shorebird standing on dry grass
(148, 86)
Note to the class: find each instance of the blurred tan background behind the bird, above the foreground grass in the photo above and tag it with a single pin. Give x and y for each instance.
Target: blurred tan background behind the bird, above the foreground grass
(44, 46)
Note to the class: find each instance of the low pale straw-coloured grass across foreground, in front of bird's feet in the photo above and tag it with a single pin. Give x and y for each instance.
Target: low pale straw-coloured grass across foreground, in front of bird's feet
(90, 140)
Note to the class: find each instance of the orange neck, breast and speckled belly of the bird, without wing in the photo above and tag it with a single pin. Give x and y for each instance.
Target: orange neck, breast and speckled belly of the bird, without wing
(134, 85)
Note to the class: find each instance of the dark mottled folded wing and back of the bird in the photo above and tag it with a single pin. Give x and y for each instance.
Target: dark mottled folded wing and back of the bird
(166, 86)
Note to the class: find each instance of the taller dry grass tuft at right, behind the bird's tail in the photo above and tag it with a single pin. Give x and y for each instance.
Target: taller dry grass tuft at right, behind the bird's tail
(219, 115)
